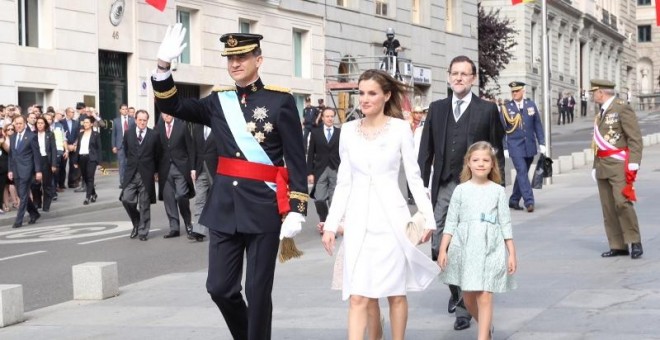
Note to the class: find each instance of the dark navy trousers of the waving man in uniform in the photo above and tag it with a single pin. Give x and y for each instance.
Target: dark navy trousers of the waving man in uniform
(224, 281)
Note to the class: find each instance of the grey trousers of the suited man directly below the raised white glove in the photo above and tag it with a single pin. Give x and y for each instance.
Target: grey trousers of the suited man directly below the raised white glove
(175, 197)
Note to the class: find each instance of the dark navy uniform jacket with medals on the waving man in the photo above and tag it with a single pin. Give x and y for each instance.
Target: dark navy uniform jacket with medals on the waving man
(237, 204)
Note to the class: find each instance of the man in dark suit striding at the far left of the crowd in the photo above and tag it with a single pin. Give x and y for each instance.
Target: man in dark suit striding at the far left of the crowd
(24, 159)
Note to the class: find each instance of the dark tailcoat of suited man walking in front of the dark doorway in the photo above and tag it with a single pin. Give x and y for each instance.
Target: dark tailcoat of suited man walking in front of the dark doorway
(142, 158)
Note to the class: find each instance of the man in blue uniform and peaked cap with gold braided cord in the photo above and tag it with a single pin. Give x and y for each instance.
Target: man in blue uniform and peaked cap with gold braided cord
(522, 124)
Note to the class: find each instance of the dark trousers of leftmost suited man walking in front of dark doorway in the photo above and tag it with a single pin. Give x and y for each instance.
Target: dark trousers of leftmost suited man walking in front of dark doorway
(133, 194)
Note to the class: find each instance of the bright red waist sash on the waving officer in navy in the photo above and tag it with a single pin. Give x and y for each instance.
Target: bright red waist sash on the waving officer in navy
(259, 172)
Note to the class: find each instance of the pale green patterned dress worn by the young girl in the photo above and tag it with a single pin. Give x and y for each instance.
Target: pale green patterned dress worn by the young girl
(479, 221)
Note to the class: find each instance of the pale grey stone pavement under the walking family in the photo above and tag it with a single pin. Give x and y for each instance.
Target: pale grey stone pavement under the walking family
(566, 290)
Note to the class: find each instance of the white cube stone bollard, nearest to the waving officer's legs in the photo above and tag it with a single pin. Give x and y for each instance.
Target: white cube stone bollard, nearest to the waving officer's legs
(95, 280)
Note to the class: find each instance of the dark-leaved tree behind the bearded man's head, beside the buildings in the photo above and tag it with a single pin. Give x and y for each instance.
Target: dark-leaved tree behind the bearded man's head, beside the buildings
(496, 39)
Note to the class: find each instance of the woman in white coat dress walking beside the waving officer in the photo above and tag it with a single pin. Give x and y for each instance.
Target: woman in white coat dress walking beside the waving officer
(379, 261)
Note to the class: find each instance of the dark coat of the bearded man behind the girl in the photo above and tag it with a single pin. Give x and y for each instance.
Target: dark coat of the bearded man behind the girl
(483, 125)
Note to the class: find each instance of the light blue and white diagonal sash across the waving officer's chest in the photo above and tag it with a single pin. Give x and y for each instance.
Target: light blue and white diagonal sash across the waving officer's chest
(249, 146)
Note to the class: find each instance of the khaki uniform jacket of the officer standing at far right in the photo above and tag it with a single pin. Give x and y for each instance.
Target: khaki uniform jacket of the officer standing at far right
(620, 128)
